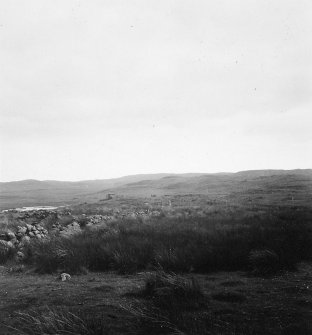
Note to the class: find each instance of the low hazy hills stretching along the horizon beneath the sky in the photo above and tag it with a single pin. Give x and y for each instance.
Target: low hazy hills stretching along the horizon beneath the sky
(50, 192)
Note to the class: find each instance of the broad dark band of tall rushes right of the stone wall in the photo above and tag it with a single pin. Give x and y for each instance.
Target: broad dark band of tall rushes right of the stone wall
(265, 246)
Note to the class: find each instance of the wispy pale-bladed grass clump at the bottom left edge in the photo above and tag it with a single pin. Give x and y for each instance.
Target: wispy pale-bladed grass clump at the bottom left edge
(50, 322)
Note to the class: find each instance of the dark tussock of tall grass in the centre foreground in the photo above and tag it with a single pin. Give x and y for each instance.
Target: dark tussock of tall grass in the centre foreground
(174, 299)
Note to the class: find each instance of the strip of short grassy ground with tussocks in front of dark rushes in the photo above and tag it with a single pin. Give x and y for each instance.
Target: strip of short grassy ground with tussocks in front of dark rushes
(153, 303)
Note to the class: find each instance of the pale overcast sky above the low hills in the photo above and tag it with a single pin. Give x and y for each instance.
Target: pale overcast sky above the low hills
(99, 89)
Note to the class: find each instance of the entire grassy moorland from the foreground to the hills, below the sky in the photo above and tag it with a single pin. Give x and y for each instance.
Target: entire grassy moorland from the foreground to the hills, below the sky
(225, 253)
